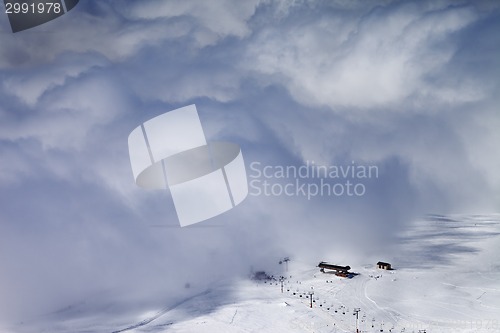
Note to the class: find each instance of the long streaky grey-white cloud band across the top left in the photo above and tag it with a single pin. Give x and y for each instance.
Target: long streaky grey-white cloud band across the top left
(117, 37)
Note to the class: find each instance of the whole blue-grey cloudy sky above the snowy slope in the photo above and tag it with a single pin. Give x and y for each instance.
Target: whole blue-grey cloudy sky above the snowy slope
(410, 87)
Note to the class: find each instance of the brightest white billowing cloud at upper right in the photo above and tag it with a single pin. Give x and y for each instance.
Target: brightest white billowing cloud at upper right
(376, 59)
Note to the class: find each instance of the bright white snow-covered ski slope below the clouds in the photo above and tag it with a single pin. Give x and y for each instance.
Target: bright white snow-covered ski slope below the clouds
(446, 278)
